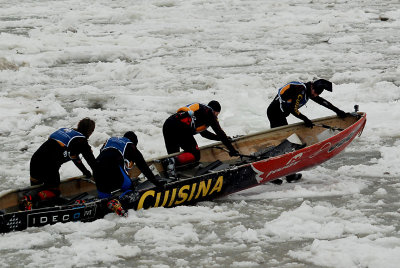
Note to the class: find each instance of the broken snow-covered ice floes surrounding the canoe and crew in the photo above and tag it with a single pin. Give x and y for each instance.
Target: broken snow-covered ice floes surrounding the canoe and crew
(130, 64)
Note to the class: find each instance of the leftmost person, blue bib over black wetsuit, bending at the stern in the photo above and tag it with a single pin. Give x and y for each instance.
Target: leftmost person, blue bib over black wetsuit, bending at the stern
(62, 146)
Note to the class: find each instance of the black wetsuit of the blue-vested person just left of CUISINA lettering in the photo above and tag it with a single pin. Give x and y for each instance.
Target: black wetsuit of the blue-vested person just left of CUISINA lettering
(110, 173)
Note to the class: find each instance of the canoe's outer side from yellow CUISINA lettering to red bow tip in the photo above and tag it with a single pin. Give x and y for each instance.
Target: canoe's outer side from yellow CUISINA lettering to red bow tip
(225, 182)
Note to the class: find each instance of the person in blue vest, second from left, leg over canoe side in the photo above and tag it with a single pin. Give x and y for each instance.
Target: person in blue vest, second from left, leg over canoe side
(116, 158)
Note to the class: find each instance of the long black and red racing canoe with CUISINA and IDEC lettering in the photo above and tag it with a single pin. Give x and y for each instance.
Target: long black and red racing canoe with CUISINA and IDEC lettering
(212, 185)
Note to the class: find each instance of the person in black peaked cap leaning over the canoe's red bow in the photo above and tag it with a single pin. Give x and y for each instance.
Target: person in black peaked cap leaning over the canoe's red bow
(290, 98)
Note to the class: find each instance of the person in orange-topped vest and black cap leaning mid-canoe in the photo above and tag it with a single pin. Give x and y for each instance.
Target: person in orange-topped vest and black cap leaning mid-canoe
(189, 120)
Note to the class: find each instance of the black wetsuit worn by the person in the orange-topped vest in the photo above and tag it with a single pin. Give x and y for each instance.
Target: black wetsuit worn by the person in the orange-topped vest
(180, 127)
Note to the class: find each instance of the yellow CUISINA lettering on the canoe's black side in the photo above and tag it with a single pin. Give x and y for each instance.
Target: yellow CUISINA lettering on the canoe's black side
(181, 194)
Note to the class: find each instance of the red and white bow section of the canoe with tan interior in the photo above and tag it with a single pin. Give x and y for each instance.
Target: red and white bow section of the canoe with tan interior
(322, 143)
